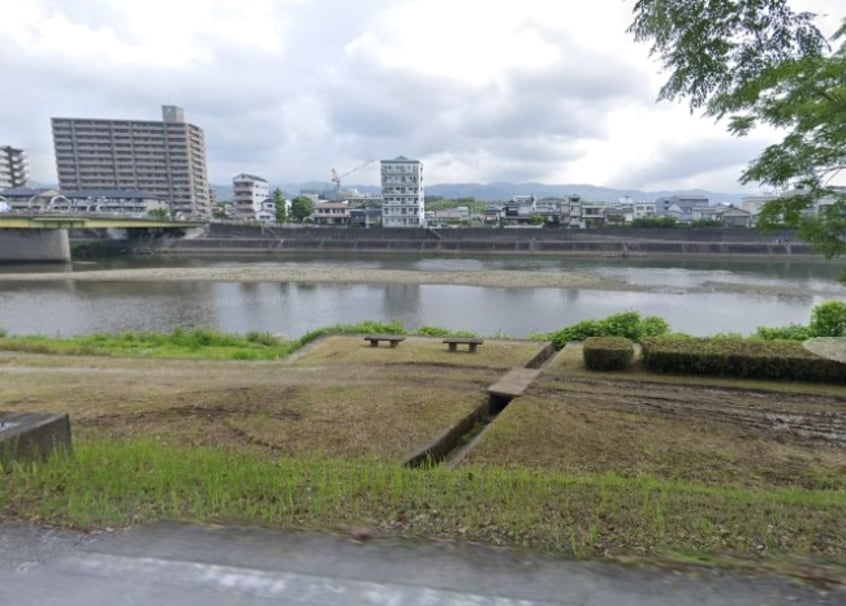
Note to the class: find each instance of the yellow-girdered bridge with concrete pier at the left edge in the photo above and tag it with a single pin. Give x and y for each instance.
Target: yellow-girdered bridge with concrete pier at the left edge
(44, 237)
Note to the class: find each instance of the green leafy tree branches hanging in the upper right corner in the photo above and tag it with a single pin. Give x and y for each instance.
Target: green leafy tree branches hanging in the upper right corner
(754, 63)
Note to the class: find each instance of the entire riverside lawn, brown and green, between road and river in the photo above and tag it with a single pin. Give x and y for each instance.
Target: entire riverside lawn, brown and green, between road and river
(628, 465)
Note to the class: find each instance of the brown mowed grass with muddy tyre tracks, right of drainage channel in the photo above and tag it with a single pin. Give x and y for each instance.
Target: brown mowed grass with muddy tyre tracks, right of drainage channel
(712, 431)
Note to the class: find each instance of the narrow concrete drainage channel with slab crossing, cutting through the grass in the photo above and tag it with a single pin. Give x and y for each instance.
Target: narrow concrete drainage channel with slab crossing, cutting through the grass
(459, 440)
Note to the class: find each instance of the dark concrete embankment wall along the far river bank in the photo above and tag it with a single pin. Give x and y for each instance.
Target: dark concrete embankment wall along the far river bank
(247, 239)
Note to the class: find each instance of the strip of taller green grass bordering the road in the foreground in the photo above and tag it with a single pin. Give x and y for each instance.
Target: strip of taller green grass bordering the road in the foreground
(123, 483)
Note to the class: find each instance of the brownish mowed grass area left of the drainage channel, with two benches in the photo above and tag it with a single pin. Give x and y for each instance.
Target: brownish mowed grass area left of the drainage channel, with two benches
(338, 397)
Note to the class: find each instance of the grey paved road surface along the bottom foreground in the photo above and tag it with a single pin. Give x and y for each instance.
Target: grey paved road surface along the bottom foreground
(188, 565)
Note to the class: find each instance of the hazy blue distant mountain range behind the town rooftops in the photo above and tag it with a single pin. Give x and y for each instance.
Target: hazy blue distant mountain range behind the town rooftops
(503, 191)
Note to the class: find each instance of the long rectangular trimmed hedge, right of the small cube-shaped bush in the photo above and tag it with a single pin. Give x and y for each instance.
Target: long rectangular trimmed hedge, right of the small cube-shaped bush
(772, 360)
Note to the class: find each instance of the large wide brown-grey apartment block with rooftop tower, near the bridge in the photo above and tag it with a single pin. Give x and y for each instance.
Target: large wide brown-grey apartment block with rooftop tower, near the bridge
(164, 158)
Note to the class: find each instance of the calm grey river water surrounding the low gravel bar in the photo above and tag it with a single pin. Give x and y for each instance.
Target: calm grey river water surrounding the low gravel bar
(698, 296)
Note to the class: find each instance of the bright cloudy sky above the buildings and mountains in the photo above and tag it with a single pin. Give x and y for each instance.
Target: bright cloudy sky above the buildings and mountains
(551, 91)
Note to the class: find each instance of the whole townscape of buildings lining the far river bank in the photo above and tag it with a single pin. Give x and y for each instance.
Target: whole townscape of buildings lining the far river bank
(140, 168)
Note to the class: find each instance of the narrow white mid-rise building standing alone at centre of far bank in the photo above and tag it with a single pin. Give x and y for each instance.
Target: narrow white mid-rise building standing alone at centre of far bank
(403, 203)
